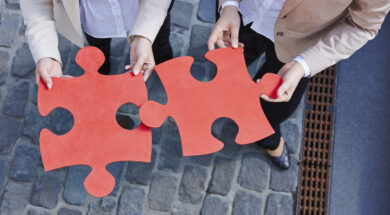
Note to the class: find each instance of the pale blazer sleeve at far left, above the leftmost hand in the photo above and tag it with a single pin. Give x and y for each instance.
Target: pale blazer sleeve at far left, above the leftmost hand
(40, 28)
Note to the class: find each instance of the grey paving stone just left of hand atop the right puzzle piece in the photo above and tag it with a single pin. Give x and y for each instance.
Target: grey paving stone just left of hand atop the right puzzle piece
(198, 46)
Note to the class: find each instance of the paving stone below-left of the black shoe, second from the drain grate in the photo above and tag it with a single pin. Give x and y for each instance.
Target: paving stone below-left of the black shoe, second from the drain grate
(254, 172)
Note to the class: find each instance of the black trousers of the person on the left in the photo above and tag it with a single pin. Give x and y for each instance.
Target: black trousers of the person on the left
(162, 49)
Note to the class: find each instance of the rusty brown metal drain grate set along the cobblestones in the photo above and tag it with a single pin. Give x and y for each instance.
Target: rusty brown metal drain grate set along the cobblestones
(316, 147)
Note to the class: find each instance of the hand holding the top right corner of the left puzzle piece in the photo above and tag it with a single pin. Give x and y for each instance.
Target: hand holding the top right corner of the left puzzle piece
(141, 57)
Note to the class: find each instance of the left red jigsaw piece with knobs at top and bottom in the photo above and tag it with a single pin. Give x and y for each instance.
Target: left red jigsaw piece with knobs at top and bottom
(95, 139)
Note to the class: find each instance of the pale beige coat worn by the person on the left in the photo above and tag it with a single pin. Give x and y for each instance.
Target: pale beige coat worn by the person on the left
(43, 17)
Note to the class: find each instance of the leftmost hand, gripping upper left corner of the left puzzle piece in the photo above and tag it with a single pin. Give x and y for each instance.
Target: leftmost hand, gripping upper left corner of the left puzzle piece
(47, 68)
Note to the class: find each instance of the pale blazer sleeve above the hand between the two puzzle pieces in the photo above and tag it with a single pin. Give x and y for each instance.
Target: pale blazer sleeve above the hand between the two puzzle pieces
(150, 17)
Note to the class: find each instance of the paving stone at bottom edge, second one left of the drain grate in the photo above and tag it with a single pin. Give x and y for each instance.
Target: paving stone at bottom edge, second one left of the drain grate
(247, 204)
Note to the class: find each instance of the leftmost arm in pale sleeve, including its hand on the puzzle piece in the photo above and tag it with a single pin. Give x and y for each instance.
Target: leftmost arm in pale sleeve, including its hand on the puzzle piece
(42, 39)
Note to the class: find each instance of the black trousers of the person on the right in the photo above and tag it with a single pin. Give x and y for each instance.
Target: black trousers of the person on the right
(254, 46)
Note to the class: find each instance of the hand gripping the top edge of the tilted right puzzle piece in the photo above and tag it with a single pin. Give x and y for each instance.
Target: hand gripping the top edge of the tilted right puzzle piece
(225, 31)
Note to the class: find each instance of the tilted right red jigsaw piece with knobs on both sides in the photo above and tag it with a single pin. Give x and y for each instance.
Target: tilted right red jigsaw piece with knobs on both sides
(196, 105)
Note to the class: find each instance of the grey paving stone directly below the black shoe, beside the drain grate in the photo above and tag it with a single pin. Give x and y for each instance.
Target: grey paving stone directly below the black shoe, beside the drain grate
(285, 180)
